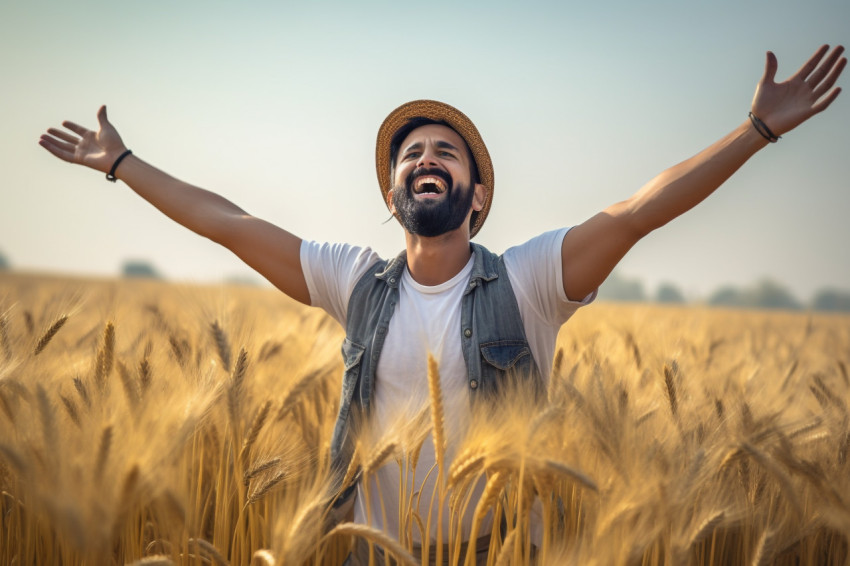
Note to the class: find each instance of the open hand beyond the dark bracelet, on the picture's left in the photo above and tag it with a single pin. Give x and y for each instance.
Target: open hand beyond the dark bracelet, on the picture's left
(97, 150)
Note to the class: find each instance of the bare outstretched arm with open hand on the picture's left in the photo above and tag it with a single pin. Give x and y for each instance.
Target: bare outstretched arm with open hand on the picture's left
(271, 251)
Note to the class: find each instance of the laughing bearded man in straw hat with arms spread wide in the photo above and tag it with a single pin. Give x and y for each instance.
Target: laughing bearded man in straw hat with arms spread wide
(480, 316)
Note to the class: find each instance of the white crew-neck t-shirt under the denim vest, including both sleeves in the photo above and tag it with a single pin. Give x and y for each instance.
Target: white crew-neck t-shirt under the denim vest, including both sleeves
(427, 320)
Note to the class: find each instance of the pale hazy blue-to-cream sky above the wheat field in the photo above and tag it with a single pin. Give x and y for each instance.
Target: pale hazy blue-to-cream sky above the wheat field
(276, 105)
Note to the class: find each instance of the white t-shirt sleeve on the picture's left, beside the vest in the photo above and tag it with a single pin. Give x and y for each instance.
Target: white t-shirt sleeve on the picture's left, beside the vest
(331, 271)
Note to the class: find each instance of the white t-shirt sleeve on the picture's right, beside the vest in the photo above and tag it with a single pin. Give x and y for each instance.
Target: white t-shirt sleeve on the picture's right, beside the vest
(534, 269)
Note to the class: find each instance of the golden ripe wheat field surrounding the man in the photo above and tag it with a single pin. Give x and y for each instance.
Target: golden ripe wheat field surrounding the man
(143, 422)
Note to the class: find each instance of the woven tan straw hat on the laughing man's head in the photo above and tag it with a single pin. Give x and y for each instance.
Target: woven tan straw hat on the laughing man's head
(434, 110)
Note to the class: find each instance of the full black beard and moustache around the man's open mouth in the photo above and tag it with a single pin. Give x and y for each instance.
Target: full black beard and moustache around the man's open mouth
(431, 218)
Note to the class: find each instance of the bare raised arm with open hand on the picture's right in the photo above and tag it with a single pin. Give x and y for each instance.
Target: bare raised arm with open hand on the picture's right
(591, 250)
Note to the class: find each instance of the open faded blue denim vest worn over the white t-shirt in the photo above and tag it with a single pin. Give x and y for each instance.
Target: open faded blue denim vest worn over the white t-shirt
(491, 332)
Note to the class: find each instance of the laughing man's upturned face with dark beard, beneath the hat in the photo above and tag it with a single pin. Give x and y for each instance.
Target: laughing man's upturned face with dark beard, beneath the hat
(432, 189)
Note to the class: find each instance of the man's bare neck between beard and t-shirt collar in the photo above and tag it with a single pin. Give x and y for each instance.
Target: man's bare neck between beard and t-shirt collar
(432, 261)
